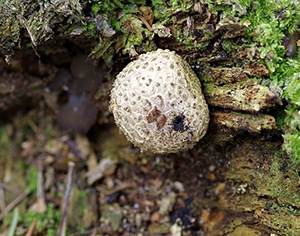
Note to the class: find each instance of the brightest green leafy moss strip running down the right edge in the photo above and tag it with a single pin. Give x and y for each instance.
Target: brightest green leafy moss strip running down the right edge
(269, 30)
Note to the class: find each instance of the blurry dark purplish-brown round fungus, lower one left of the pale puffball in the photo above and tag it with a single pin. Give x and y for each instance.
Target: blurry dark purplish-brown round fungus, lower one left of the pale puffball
(78, 115)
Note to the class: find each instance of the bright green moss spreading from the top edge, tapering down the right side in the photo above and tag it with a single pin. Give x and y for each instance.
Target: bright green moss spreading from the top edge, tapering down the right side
(270, 22)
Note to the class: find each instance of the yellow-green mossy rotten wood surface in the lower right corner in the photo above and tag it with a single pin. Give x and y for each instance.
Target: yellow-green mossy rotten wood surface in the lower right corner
(271, 193)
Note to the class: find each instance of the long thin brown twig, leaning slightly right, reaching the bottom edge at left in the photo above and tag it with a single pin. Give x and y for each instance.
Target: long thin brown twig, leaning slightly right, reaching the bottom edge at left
(64, 215)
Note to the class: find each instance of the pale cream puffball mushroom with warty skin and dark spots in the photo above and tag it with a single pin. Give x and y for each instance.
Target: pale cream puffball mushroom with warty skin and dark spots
(158, 104)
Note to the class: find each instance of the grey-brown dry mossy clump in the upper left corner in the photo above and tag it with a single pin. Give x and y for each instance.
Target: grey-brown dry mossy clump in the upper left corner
(38, 19)
